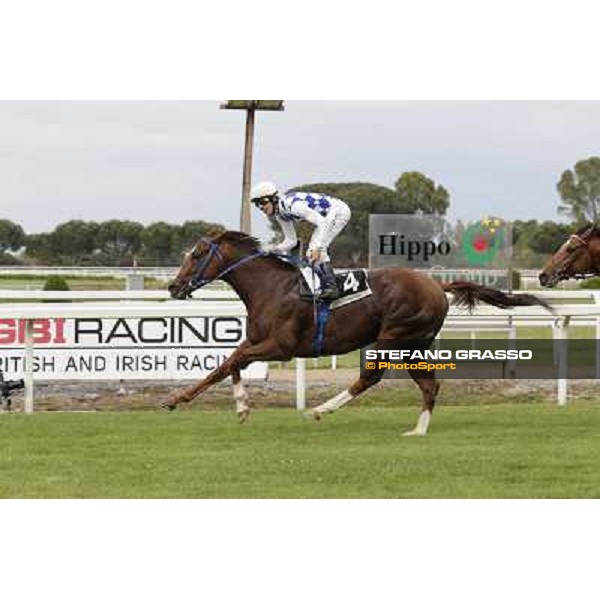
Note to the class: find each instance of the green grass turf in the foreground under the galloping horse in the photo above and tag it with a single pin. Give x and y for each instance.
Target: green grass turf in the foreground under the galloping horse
(521, 451)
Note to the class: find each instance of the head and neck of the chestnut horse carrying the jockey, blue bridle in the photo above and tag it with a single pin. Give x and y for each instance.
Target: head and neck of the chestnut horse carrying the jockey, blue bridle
(211, 258)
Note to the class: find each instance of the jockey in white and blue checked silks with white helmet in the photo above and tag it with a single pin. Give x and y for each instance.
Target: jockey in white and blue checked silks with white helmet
(328, 215)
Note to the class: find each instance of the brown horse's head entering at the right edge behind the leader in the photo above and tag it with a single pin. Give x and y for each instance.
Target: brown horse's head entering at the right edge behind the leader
(577, 258)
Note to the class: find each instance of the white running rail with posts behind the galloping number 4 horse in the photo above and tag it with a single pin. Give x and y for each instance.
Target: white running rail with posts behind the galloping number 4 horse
(148, 303)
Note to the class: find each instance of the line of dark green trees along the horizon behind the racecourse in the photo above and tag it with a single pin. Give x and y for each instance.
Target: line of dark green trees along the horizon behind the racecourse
(124, 243)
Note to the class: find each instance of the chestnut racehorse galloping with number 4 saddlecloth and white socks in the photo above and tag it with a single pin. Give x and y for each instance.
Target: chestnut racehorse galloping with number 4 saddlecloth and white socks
(404, 305)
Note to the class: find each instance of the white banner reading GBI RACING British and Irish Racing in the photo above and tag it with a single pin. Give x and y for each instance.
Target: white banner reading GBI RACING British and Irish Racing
(126, 348)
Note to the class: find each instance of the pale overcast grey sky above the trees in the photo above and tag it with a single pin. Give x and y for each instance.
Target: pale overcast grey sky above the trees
(177, 161)
